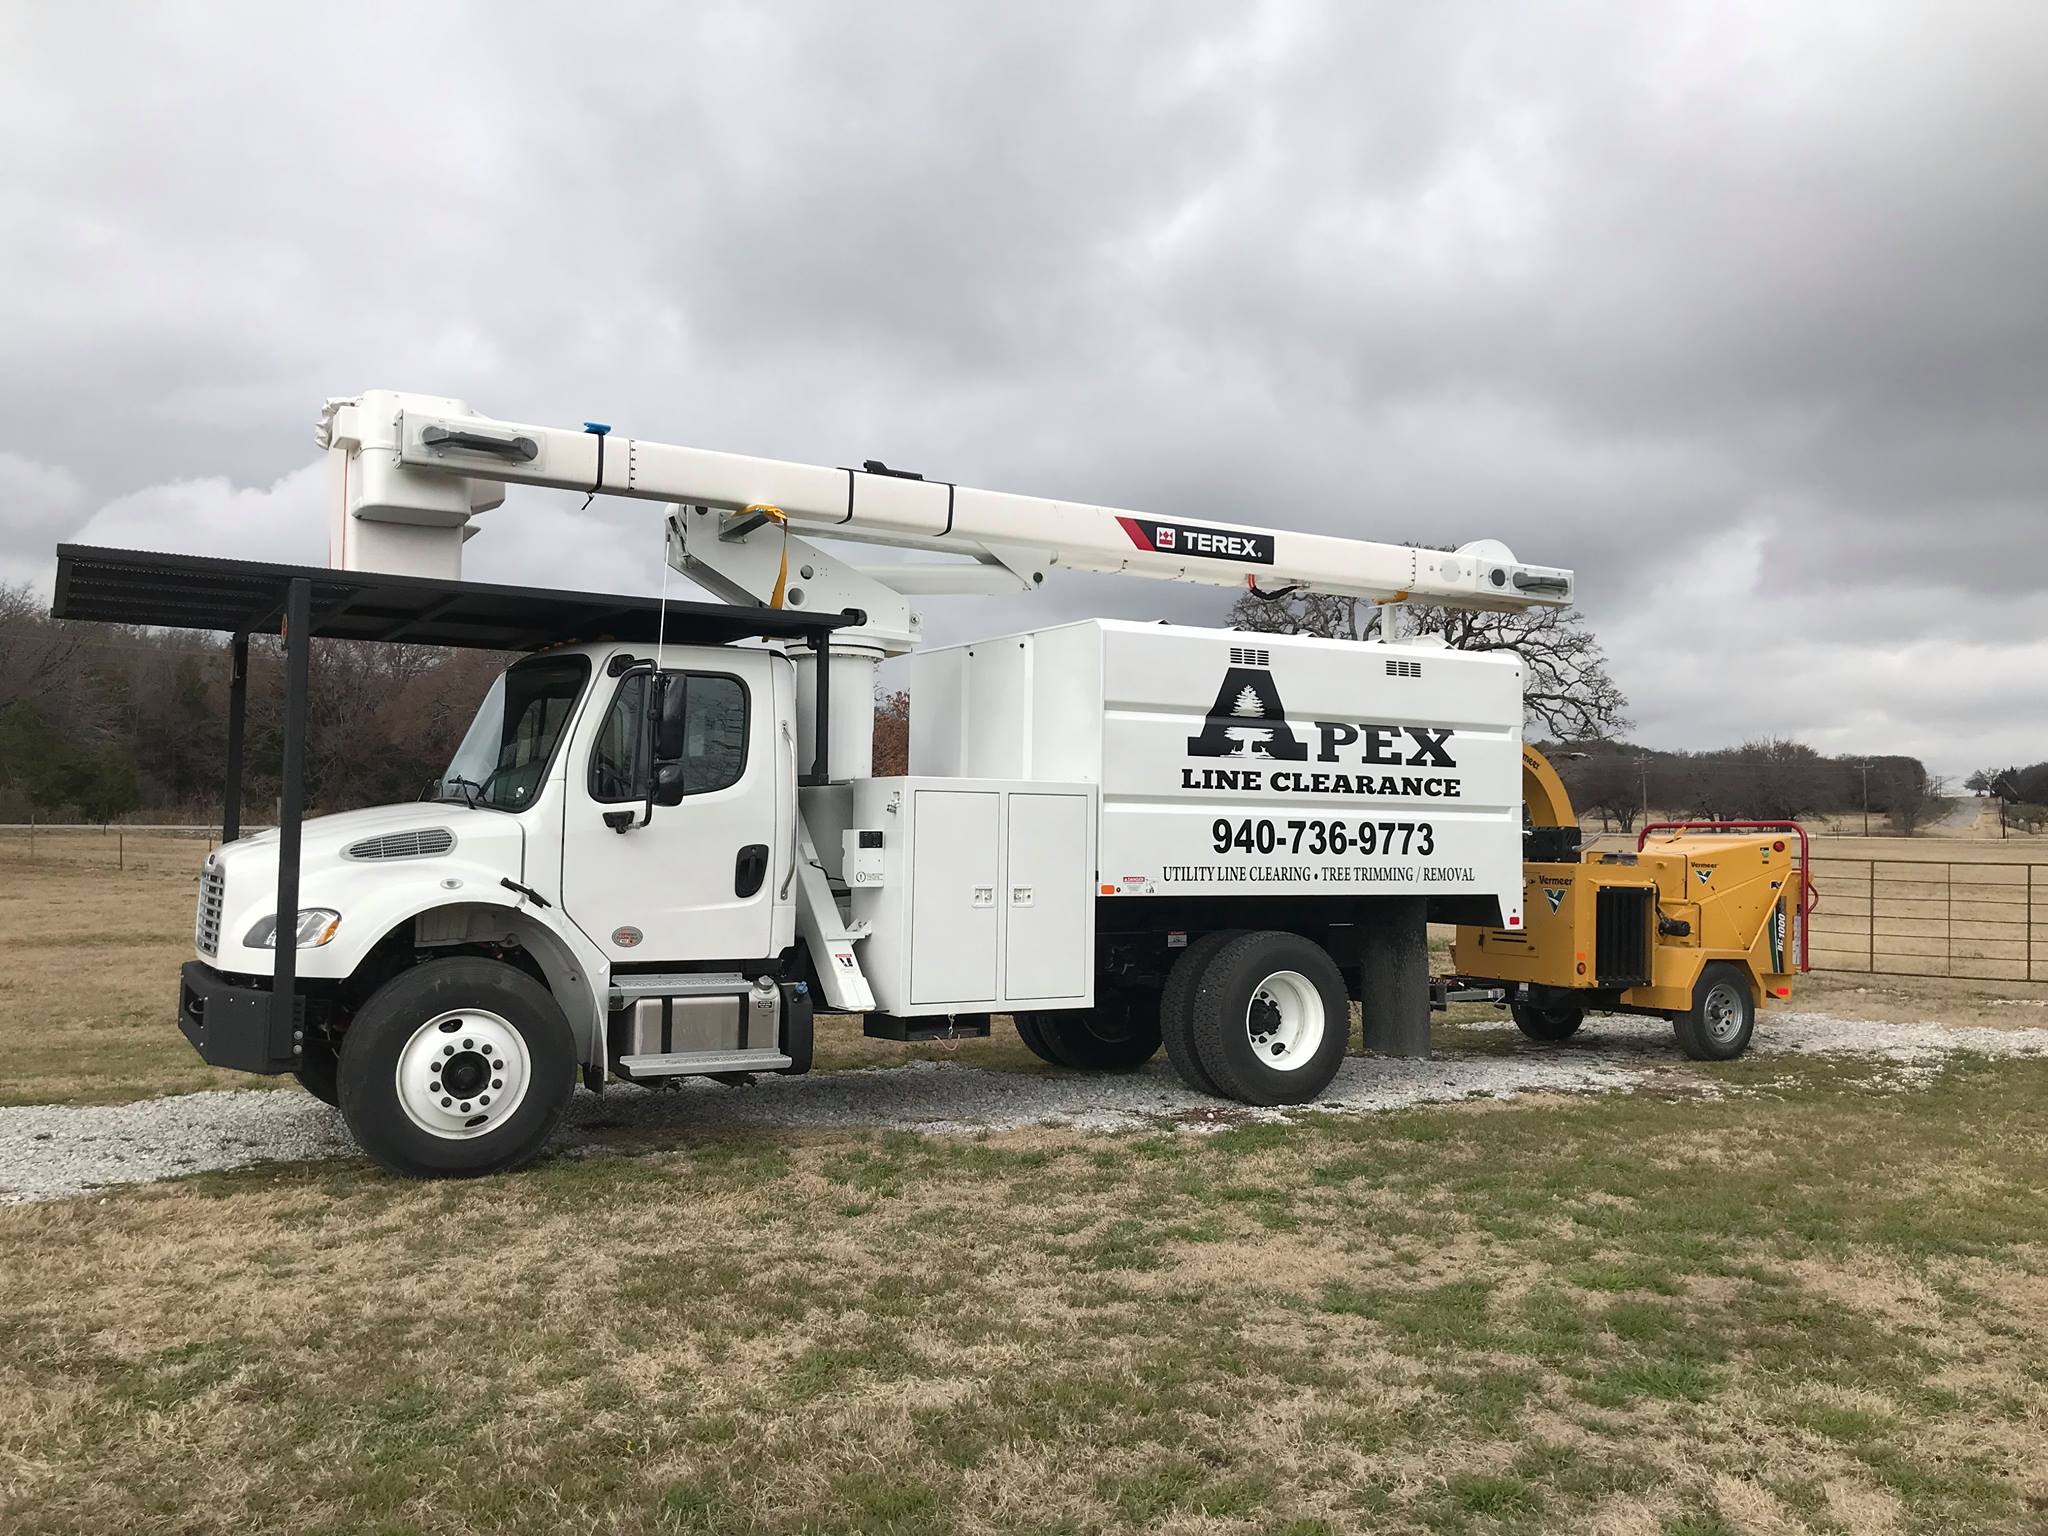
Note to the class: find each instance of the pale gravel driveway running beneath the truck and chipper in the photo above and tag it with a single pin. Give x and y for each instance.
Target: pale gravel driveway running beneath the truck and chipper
(54, 1152)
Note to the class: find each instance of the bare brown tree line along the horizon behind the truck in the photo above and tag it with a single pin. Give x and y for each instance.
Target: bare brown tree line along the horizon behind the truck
(101, 724)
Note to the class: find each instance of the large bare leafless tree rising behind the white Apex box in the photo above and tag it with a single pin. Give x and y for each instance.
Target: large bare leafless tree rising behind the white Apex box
(1566, 693)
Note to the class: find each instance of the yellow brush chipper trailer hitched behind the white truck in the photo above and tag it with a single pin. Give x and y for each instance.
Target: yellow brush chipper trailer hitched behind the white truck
(1703, 925)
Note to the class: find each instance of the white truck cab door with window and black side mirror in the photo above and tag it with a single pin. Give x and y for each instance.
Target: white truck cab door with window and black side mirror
(699, 880)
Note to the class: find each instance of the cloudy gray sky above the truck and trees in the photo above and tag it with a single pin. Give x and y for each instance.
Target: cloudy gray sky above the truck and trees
(1738, 310)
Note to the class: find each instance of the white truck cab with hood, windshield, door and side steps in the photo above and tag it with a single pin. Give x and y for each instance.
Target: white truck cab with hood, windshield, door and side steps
(548, 849)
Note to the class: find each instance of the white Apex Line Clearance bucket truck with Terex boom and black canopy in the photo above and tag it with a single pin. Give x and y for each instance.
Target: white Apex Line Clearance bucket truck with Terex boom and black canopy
(658, 845)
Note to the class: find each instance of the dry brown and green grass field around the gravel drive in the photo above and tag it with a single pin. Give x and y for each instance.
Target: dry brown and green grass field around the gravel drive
(1785, 1295)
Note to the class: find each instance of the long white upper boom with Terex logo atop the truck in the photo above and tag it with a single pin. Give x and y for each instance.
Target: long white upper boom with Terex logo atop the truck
(411, 470)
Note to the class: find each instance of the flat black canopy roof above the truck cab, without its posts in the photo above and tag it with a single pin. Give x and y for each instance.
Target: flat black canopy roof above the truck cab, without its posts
(247, 597)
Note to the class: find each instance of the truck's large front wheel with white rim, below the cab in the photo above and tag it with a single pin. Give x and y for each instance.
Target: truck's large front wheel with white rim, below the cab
(458, 1068)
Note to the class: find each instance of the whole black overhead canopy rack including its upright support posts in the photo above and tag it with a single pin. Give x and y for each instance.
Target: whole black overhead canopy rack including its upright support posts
(302, 603)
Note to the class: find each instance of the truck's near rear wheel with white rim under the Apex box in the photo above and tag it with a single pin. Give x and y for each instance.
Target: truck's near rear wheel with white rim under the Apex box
(1273, 1019)
